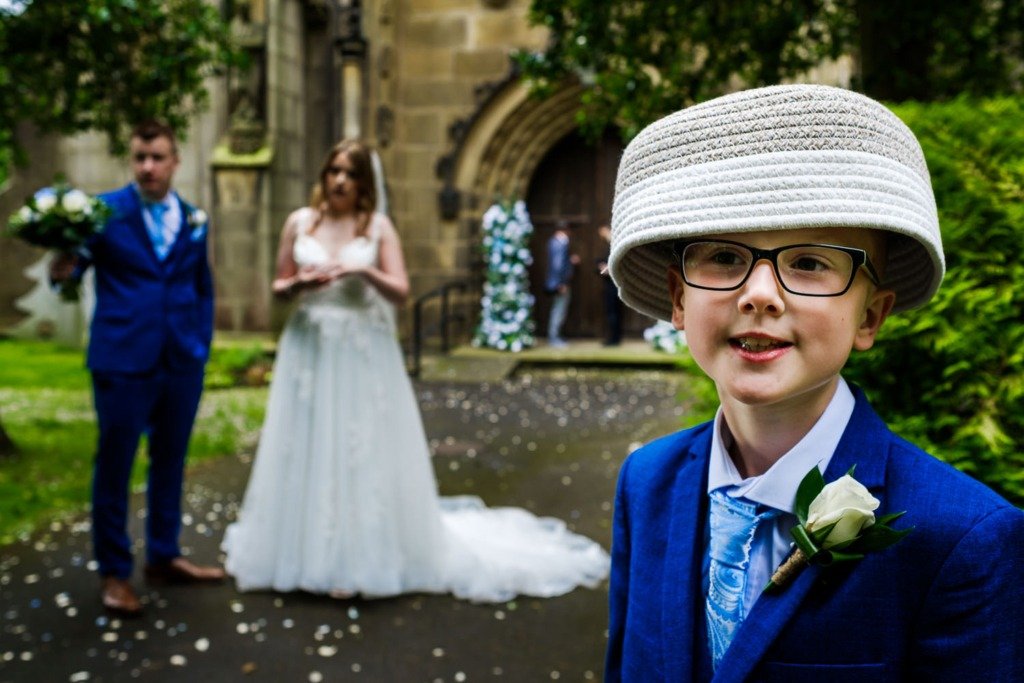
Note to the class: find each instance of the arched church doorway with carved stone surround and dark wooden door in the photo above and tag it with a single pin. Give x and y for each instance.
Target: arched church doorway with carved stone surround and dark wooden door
(520, 147)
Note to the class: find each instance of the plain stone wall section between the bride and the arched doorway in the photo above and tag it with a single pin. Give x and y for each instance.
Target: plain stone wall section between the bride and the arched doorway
(443, 53)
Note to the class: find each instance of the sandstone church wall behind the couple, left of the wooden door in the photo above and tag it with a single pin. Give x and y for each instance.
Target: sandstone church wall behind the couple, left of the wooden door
(430, 84)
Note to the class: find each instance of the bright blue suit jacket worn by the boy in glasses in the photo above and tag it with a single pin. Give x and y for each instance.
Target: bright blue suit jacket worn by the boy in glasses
(945, 605)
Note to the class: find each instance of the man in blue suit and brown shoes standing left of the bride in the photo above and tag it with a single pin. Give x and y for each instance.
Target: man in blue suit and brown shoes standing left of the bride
(149, 346)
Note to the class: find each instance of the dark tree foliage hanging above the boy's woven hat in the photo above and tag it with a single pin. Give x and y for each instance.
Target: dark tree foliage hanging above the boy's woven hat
(643, 60)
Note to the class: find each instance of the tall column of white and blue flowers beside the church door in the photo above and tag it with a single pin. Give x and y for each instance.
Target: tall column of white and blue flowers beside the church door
(506, 322)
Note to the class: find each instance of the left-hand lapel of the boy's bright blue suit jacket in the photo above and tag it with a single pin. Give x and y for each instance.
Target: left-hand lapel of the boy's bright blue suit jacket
(684, 583)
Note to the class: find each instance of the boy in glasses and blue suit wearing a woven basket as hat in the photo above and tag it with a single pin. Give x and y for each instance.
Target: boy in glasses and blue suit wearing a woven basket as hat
(780, 228)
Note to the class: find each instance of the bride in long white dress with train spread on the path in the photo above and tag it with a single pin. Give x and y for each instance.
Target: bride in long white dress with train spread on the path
(343, 497)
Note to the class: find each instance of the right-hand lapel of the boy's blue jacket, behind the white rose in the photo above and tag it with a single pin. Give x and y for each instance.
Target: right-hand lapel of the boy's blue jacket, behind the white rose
(865, 444)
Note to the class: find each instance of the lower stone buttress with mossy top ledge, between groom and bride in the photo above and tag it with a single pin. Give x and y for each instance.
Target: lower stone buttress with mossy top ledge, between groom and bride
(242, 248)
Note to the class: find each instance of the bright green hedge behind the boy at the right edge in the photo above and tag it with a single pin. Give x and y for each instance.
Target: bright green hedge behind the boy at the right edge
(951, 376)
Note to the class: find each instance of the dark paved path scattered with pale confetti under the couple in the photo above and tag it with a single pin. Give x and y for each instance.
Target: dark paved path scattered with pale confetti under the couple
(550, 441)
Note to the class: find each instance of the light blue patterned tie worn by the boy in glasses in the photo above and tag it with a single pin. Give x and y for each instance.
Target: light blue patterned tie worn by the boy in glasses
(734, 524)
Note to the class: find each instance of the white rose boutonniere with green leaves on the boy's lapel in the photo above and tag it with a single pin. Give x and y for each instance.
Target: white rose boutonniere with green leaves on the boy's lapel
(837, 525)
